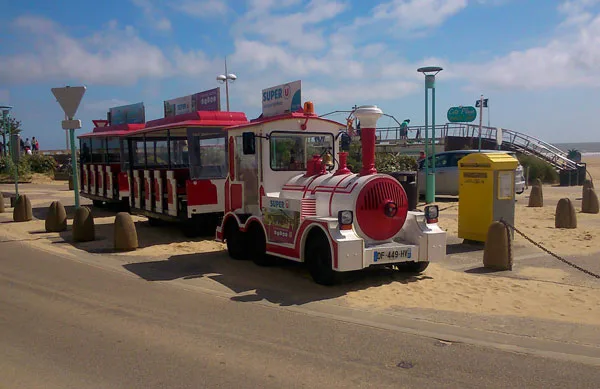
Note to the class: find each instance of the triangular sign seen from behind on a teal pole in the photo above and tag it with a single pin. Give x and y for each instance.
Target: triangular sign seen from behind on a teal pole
(69, 99)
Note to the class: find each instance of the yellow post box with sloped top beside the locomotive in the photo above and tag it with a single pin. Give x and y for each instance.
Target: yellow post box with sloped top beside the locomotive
(486, 193)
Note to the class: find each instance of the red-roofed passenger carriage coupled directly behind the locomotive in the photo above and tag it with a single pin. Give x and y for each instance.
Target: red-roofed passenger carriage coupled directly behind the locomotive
(177, 167)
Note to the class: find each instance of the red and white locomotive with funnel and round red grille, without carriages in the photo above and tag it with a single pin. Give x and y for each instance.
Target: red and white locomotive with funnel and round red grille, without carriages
(285, 198)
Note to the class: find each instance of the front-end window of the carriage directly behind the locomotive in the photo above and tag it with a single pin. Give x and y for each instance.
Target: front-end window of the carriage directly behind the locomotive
(208, 157)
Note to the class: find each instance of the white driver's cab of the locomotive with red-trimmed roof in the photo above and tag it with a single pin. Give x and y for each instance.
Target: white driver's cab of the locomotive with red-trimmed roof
(269, 152)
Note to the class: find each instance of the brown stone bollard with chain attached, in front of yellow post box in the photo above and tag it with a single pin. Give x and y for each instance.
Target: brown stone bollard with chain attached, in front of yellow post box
(497, 252)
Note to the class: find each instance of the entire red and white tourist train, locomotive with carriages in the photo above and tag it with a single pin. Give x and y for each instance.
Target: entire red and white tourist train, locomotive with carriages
(275, 186)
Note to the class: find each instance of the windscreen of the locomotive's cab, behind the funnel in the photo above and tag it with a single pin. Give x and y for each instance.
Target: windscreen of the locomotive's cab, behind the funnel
(290, 151)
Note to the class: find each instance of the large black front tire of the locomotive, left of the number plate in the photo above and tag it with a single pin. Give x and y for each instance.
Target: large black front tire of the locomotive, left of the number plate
(318, 260)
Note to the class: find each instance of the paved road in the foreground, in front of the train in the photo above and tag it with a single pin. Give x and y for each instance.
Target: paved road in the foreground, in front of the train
(66, 324)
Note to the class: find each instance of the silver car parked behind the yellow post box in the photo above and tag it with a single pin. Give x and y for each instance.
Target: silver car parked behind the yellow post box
(446, 172)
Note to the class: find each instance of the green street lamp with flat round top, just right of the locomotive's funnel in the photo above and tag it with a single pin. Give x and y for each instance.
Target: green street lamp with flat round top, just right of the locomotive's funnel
(430, 73)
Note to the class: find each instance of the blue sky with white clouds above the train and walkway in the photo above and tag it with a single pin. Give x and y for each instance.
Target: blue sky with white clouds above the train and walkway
(537, 61)
